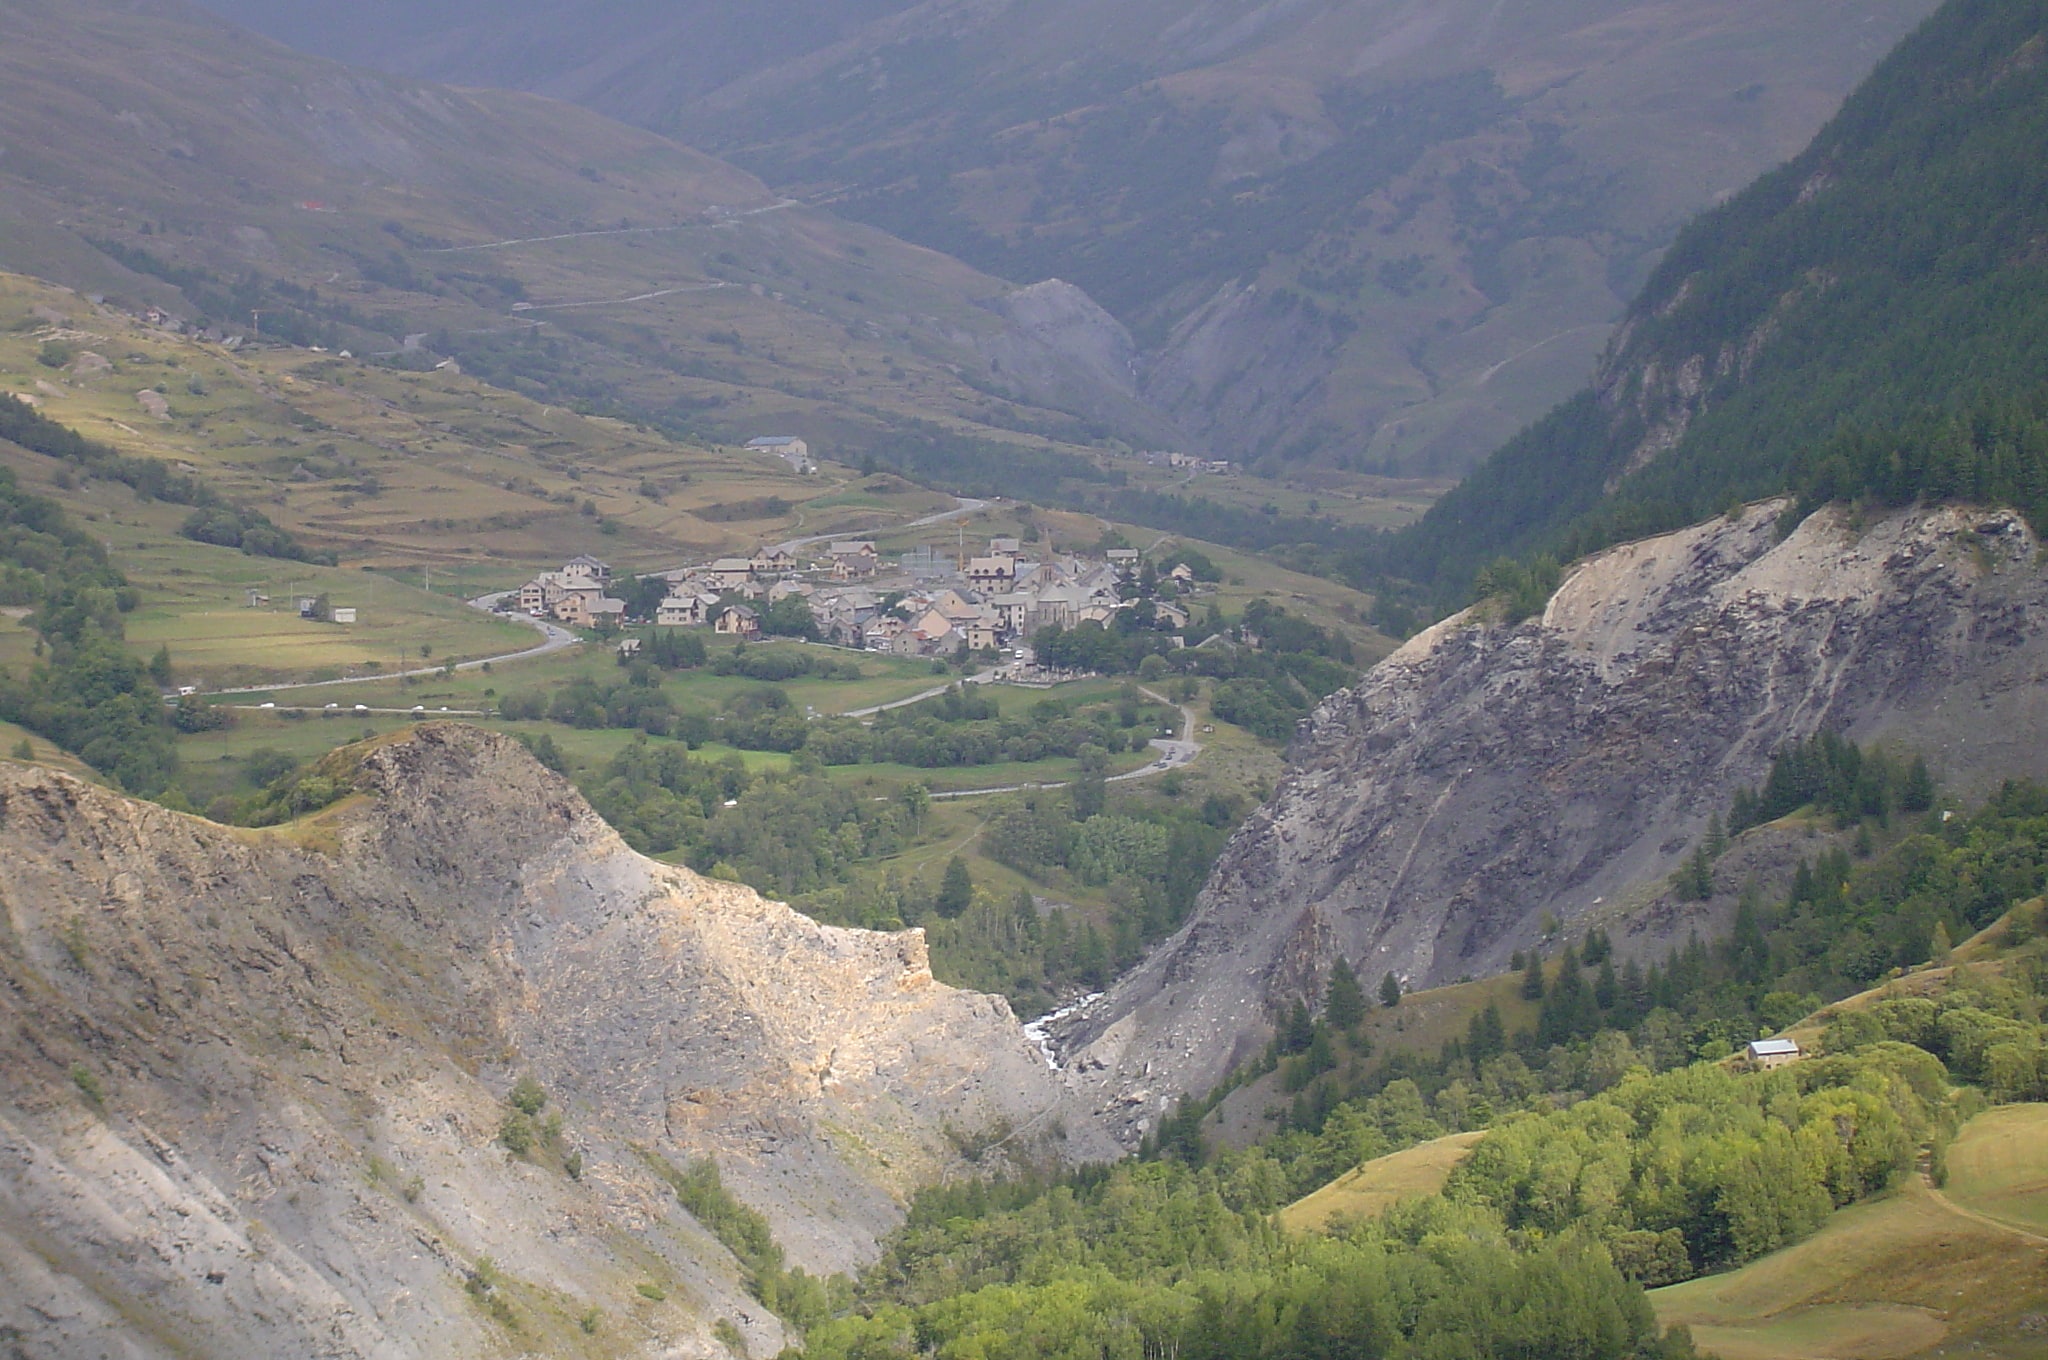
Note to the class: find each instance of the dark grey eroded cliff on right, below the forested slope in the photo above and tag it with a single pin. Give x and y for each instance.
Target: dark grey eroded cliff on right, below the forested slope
(1488, 775)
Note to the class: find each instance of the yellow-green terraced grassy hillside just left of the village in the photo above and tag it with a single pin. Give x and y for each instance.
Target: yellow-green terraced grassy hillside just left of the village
(474, 484)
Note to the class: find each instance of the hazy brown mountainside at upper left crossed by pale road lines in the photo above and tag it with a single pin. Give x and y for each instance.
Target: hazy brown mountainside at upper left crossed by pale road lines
(163, 157)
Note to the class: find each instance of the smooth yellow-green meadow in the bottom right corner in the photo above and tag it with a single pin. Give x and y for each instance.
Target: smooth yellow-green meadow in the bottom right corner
(1906, 1275)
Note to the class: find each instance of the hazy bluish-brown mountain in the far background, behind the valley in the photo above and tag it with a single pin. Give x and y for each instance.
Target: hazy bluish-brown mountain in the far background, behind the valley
(1377, 232)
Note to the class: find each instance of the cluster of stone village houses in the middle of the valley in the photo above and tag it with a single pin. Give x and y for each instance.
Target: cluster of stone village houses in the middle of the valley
(923, 603)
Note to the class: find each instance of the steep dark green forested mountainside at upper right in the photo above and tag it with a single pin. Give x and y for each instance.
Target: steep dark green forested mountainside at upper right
(1893, 275)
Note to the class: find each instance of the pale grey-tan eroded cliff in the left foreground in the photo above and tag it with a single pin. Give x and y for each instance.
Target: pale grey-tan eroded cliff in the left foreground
(255, 1078)
